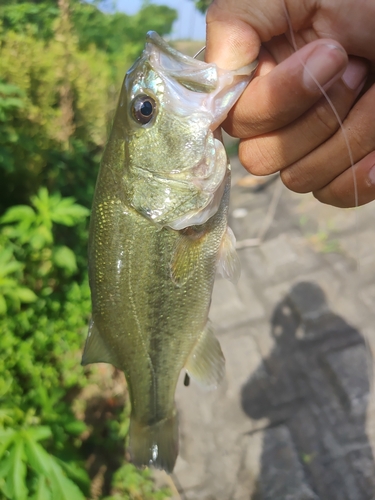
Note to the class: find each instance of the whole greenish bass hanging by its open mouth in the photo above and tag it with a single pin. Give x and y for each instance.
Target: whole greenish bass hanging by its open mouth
(158, 234)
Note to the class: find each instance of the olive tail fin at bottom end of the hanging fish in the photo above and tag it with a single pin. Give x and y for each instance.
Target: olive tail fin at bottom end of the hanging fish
(155, 445)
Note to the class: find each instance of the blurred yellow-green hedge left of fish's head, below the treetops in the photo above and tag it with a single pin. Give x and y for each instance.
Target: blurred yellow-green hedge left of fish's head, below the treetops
(33, 148)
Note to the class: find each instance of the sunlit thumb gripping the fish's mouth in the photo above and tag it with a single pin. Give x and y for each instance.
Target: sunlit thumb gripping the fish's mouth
(231, 42)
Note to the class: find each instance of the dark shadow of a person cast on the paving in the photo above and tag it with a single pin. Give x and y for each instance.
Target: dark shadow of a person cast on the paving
(314, 389)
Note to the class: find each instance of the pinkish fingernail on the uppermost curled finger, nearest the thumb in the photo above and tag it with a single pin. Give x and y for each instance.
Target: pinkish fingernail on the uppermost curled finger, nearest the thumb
(325, 63)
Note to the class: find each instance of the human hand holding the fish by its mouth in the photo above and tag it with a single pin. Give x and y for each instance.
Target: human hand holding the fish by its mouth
(282, 119)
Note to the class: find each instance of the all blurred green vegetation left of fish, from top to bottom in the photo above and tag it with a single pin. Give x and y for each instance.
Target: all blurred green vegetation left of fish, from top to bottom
(62, 428)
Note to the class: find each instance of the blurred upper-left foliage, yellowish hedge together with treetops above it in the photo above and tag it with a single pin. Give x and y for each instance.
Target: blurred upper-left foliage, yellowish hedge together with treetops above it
(40, 57)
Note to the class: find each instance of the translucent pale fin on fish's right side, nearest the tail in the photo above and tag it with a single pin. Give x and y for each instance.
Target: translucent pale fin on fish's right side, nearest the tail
(206, 362)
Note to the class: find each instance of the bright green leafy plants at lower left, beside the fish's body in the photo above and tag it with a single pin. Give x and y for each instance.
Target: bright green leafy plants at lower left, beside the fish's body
(36, 365)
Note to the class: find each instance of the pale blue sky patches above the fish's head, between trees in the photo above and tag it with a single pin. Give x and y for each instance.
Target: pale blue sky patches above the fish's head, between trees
(190, 23)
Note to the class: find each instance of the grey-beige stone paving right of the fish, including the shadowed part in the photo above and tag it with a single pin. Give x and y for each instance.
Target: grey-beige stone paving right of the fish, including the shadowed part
(293, 419)
